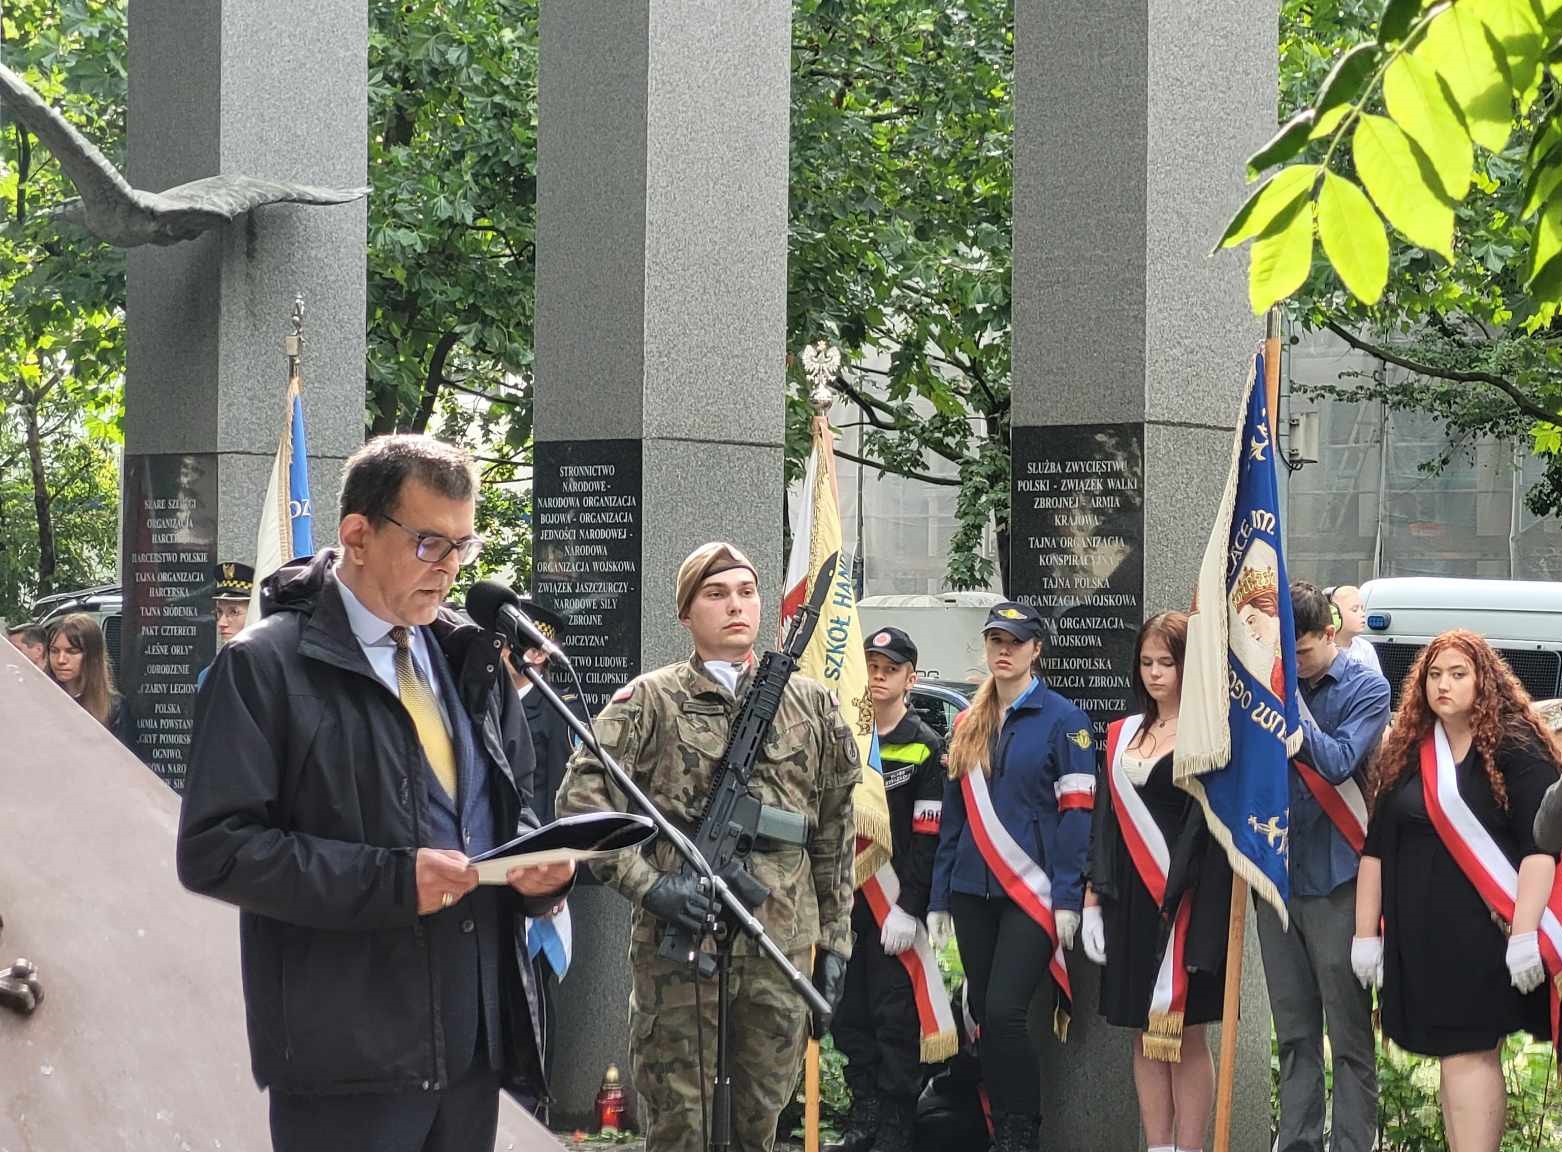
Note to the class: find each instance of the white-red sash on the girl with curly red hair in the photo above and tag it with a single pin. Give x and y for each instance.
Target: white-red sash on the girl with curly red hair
(1483, 862)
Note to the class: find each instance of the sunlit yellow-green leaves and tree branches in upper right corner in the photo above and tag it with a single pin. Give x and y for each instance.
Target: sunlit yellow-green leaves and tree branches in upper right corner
(1461, 304)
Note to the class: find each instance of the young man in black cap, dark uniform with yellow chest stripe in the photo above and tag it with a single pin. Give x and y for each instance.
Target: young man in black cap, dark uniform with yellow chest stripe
(877, 1026)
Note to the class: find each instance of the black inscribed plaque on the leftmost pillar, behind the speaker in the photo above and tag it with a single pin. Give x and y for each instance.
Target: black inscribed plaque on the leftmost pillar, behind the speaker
(168, 633)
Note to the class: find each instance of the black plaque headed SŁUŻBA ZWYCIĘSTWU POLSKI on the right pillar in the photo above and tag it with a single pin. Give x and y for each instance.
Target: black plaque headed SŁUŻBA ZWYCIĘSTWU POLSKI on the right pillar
(1077, 535)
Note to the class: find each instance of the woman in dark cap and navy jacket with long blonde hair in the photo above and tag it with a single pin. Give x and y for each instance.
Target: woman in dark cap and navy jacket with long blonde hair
(1013, 852)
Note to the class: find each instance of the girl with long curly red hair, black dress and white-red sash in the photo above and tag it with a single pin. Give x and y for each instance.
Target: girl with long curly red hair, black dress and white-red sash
(1455, 905)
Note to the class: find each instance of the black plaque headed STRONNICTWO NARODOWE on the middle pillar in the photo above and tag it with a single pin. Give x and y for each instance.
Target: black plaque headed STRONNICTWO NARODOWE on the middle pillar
(587, 556)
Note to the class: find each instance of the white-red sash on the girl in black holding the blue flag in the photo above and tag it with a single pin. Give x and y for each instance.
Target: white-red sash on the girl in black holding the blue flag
(1152, 856)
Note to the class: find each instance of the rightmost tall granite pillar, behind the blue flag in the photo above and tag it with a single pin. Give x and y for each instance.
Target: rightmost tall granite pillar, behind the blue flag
(1130, 350)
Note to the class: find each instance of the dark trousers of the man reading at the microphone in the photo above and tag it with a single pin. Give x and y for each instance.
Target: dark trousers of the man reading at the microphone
(463, 1118)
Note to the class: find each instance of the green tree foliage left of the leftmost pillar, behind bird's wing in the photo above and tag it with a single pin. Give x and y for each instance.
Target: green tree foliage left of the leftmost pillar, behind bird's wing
(62, 330)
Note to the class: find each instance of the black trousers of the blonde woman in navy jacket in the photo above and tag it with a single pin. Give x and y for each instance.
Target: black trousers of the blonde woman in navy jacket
(1005, 955)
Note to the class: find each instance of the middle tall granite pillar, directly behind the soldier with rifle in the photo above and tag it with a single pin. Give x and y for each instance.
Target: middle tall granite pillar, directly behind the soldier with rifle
(662, 316)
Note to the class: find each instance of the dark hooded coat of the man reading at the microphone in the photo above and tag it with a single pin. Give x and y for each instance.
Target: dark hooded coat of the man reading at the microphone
(305, 806)
